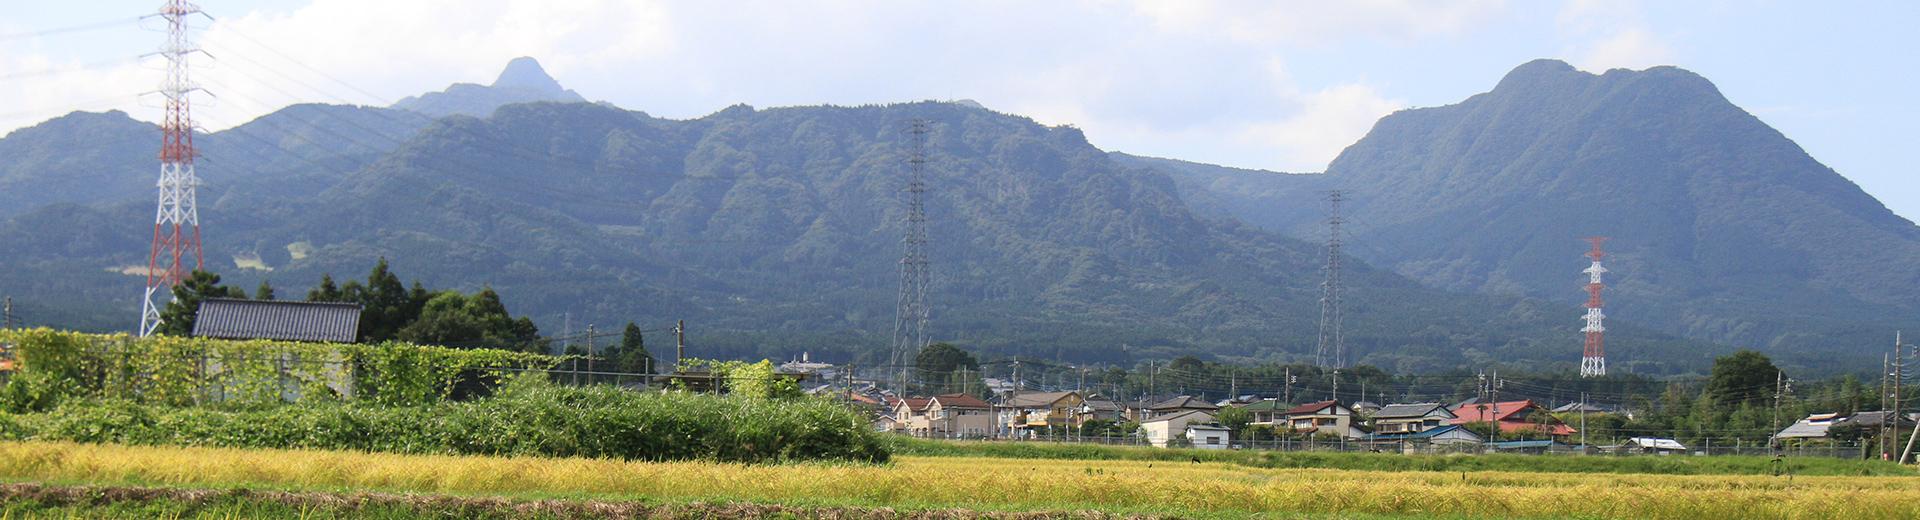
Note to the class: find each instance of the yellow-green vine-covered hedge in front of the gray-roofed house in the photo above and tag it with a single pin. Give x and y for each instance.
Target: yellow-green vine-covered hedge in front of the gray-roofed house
(199, 371)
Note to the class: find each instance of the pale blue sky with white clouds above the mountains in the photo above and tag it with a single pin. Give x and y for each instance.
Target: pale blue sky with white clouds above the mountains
(1264, 85)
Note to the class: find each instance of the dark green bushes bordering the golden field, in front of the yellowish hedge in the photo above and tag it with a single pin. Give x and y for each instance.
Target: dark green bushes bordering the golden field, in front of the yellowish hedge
(527, 417)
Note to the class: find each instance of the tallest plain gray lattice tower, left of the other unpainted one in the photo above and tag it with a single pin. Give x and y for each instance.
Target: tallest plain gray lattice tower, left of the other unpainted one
(913, 314)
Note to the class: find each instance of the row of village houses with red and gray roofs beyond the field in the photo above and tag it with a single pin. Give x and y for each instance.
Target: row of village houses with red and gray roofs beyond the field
(1266, 423)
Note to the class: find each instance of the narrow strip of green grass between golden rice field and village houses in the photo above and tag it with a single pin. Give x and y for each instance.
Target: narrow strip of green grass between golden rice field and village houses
(1404, 463)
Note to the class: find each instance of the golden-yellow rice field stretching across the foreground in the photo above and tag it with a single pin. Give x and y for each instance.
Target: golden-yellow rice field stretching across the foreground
(986, 485)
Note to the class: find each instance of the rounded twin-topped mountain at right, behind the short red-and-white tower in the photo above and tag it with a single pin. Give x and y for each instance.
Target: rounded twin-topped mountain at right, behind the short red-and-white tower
(1723, 229)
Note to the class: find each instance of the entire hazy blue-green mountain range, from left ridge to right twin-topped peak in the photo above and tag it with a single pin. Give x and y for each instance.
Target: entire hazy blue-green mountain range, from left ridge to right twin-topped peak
(775, 231)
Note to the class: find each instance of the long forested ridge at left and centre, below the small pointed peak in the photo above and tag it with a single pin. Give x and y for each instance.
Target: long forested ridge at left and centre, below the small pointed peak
(777, 231)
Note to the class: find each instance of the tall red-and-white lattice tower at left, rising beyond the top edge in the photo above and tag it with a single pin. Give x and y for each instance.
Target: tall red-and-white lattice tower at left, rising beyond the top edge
(178, 220)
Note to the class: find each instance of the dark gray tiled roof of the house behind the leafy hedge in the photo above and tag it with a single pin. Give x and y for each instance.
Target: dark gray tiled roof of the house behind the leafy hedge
(266, 319)
